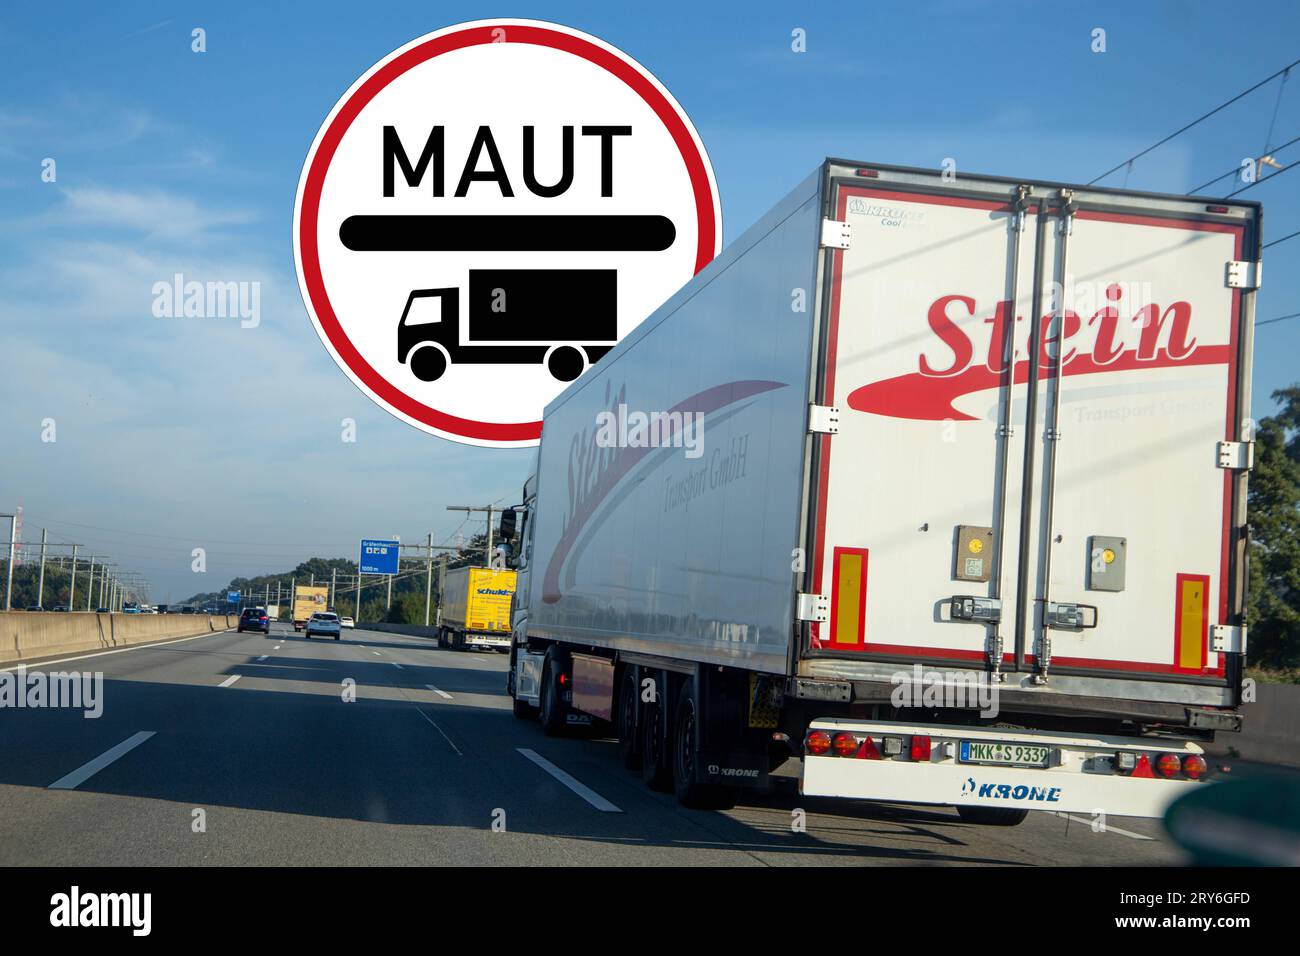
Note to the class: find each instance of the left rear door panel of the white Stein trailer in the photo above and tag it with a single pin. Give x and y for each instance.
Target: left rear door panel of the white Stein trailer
(920, 490)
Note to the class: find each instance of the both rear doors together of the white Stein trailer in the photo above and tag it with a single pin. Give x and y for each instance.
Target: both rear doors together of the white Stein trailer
(1085, 527)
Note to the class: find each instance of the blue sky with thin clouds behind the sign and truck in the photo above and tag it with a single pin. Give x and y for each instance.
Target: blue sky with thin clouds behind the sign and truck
(175, 162)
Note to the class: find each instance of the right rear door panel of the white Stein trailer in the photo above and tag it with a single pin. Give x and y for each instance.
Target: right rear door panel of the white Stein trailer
(1130, 551)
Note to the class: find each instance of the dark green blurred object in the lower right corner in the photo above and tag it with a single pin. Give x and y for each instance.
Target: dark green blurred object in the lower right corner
(1241, 823)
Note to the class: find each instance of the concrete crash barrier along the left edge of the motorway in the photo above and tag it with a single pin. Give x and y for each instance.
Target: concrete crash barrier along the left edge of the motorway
(27, 637)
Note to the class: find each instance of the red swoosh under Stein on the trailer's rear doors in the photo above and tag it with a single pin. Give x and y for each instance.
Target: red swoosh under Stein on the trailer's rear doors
(916, 396)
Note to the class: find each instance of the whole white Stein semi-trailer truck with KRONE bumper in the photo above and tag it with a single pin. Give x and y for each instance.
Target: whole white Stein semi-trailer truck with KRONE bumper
(935, 485)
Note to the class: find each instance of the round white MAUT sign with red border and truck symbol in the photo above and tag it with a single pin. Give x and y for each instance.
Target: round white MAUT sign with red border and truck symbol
(488, 211)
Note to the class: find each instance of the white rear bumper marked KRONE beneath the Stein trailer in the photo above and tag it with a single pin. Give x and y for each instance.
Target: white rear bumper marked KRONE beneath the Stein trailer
(1081, 777)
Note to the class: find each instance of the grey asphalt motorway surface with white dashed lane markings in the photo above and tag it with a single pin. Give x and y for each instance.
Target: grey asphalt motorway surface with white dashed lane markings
(241, 749)
